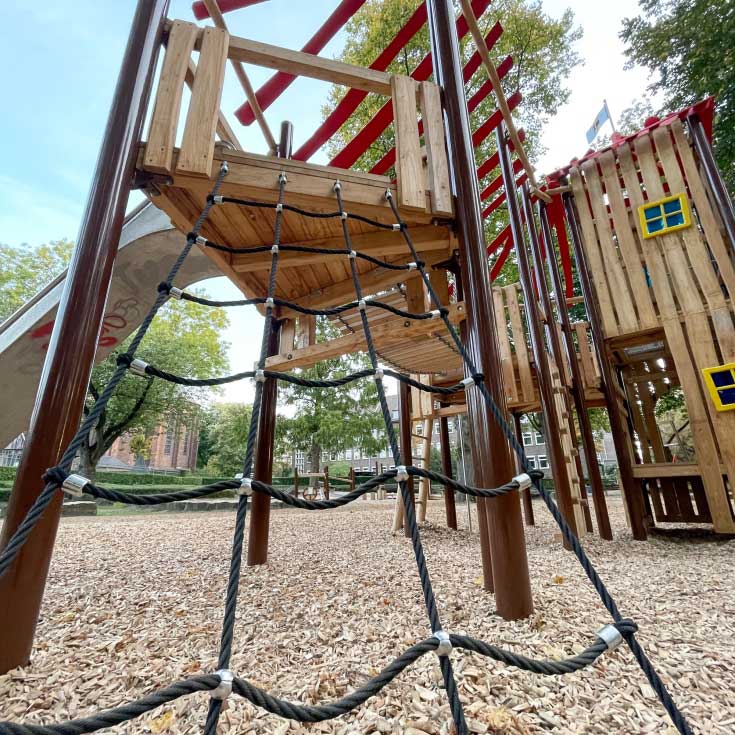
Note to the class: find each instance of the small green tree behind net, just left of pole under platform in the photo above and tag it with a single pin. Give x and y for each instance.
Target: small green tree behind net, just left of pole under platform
(226, 431)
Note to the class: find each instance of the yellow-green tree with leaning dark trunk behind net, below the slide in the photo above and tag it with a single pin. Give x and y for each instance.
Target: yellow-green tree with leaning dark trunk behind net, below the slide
(184, 338)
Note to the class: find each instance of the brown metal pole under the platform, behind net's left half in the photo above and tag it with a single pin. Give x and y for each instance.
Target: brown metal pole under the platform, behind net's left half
(260, 510)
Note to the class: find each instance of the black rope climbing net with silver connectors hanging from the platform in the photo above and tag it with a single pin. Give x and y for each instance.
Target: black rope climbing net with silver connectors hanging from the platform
(223, 683)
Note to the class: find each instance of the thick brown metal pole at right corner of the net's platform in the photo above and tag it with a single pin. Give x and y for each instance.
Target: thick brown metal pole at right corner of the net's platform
(493, 461)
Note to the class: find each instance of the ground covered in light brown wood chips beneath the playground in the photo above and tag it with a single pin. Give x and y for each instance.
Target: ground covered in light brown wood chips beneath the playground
(135, 602)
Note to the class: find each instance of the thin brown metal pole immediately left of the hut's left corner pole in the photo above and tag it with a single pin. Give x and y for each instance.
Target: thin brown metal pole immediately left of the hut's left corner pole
(588, 440)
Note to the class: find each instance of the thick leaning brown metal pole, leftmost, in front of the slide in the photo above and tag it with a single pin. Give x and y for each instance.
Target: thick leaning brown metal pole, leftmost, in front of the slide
(63, 384)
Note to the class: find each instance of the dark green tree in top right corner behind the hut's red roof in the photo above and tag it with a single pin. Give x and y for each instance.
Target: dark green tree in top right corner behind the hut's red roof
(689, 44)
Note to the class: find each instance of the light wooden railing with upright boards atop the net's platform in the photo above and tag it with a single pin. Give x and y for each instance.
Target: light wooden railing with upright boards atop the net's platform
(420, 171)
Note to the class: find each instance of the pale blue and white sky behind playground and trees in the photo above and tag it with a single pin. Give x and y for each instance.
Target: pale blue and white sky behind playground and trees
(59, 67)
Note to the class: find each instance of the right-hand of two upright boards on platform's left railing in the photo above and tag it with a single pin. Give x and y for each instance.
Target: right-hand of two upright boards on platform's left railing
(197, 144)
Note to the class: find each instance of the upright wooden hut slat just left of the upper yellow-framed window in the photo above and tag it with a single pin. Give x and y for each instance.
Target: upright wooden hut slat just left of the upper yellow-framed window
(627, 243)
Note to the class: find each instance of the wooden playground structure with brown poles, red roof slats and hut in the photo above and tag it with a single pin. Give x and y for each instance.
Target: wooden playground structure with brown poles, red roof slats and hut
(302, 241)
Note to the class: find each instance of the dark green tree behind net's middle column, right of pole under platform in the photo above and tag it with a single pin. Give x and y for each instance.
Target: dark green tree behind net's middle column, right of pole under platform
(332, 419)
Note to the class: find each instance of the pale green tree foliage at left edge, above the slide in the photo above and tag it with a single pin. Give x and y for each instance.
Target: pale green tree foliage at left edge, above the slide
(25, 270)
